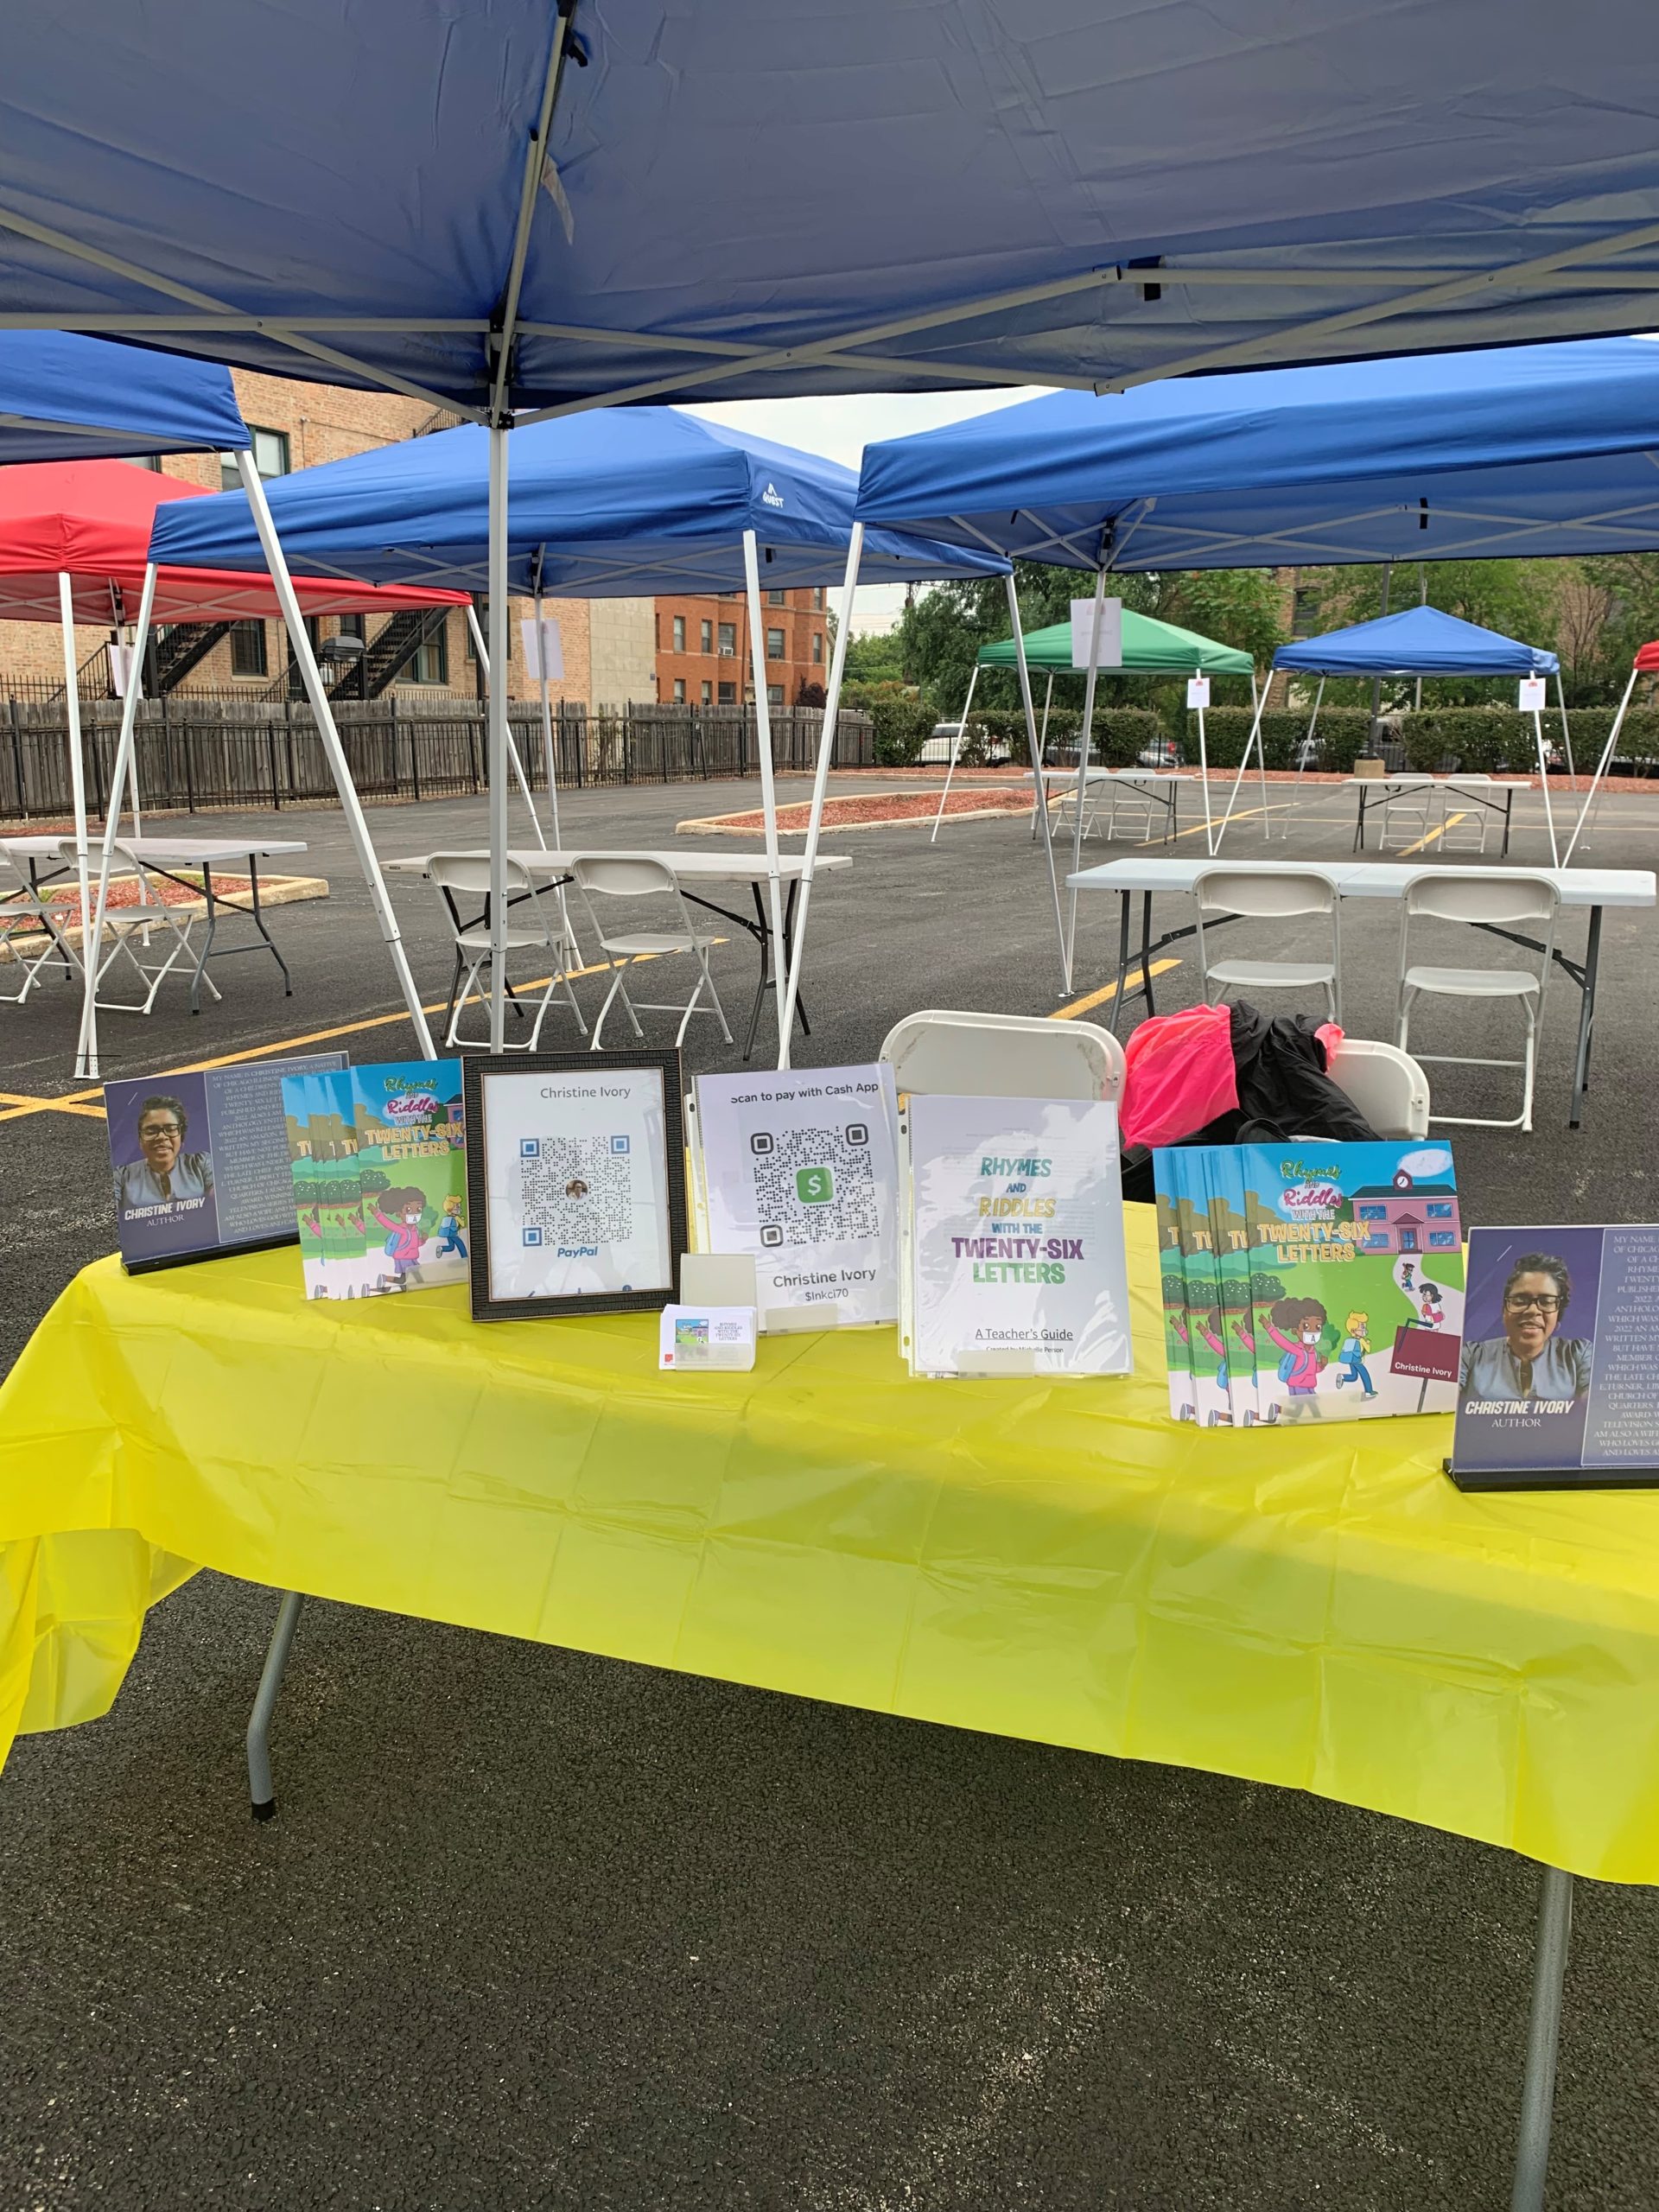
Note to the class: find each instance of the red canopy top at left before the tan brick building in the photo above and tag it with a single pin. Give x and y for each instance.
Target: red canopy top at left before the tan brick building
(92, 523)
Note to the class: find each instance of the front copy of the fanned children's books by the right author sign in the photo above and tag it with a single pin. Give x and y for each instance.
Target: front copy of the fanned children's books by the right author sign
(1355, 1280)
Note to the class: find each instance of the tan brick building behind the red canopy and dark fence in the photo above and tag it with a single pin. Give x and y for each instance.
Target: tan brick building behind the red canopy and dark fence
(298, 426)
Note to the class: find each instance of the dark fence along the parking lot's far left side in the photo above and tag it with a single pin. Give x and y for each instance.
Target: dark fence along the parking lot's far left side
(200, 753)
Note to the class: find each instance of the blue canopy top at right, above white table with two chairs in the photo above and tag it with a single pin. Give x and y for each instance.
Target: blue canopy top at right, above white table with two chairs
(1441, 457)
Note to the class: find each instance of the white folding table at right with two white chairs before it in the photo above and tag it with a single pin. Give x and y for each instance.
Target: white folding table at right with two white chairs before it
(1592, 888)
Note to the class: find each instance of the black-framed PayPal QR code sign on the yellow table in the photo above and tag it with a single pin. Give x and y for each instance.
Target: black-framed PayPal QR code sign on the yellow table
(576, 1185)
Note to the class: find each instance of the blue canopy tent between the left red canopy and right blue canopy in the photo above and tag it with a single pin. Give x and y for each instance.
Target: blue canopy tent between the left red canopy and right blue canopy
(603, 505)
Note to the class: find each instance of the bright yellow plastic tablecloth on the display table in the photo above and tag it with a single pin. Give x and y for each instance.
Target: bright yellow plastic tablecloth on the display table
(1050, 1561)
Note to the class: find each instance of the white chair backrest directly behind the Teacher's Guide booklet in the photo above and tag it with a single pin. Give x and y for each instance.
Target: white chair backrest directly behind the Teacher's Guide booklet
(1003, 1056)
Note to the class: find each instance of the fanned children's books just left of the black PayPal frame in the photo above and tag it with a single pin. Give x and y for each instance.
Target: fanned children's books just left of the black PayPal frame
(379, 1178)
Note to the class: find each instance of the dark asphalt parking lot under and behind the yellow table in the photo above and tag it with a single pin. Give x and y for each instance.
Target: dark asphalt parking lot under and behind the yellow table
(539, 1930)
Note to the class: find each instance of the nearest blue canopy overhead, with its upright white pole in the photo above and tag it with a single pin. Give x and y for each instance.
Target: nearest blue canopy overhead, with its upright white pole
(559, 205)
